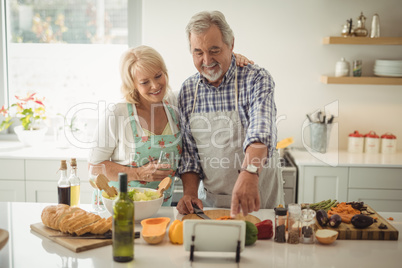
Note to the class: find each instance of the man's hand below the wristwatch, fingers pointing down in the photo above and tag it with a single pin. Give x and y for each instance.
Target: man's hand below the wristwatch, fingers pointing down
(245, 195)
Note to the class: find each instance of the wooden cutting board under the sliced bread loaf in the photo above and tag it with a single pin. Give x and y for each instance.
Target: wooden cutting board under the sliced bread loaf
(76, 245)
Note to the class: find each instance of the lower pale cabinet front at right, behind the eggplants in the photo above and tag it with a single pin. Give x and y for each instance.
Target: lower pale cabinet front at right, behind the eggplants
(380, 200)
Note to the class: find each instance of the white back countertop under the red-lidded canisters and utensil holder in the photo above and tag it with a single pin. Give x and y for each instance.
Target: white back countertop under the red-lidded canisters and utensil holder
(343, 158)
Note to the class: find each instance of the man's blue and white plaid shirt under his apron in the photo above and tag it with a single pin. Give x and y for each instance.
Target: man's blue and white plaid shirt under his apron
(257, 108)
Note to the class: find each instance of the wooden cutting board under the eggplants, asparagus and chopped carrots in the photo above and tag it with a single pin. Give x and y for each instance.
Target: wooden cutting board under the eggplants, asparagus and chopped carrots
(348, 232)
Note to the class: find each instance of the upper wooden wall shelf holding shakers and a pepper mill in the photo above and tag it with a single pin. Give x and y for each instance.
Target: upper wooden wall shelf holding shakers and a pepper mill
(340, 40)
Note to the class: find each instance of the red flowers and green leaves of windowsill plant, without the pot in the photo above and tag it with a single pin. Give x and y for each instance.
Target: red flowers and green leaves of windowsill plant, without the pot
(30, 110)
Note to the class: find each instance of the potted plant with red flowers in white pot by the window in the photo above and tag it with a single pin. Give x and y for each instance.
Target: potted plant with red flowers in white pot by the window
(31, 112)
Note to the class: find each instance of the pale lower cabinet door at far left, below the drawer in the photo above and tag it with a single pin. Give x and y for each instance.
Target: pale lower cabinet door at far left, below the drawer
(12, 191)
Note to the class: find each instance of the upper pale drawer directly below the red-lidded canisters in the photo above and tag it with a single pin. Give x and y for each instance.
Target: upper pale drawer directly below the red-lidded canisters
(375, 178)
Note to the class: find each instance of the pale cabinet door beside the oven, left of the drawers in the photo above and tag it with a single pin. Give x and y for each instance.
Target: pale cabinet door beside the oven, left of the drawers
(322, 183)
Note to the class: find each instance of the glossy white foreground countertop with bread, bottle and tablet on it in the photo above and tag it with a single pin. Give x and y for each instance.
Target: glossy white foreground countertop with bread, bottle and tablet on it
(26, 248)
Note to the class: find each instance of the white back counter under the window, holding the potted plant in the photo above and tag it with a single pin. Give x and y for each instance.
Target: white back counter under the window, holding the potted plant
(47, 151)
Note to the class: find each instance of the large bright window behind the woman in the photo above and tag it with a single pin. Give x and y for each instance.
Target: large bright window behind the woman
(67, 51)
